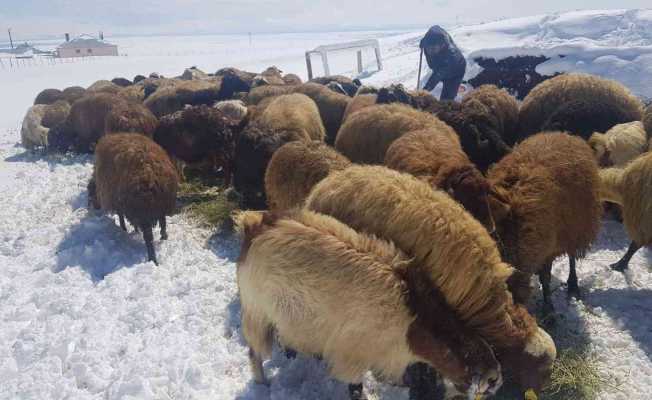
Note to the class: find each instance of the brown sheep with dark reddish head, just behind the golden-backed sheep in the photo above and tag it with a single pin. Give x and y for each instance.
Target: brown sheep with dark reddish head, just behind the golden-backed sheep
(436, 157)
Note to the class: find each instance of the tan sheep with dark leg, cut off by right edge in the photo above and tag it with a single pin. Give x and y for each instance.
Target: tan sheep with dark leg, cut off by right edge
(631, 188)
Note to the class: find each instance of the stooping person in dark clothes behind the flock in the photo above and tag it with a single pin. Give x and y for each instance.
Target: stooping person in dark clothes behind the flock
(446, 61)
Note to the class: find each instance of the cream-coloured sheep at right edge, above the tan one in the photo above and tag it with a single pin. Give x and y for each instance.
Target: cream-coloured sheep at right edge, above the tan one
(620, 144)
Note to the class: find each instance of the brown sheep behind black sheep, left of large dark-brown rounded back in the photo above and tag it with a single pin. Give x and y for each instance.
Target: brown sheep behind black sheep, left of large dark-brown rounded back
(503, 105)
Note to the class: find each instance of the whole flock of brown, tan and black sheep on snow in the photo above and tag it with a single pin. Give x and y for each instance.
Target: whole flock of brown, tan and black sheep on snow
(398, 229)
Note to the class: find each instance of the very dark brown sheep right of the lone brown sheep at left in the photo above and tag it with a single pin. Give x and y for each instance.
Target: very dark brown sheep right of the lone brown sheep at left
(199, 134)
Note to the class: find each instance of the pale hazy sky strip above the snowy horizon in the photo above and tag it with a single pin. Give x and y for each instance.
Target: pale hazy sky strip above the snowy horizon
(39, 18)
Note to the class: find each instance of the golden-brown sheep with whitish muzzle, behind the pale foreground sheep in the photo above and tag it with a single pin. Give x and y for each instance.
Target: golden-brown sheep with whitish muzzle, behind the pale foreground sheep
(452, 253)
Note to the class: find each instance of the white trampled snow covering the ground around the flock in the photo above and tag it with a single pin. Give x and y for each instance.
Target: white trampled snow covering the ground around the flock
(83, 316)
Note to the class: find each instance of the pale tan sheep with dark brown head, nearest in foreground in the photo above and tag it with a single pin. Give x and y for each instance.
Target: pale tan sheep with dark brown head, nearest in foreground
(327, 290)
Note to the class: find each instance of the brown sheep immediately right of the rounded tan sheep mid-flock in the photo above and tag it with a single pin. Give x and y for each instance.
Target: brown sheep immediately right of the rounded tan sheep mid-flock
(331, 107)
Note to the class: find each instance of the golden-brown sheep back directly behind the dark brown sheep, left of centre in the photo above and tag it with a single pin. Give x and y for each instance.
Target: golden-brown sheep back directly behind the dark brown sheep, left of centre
(172, 98)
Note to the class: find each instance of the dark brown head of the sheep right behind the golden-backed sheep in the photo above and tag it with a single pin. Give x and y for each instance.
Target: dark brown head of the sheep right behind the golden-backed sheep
(470, 188)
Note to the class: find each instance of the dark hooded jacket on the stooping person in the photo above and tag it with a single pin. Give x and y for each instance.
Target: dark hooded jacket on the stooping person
(449, 62)
